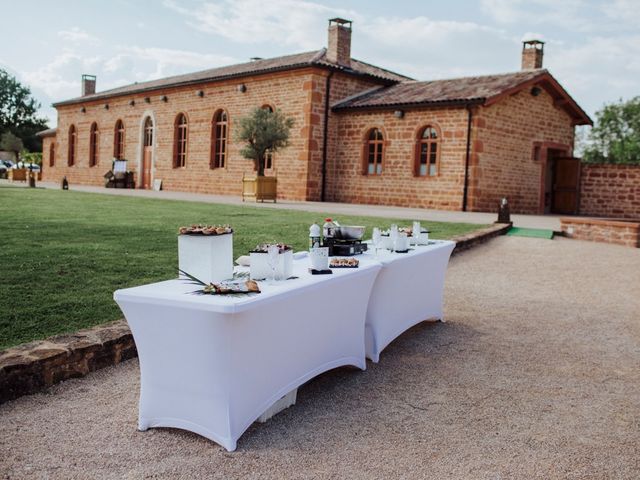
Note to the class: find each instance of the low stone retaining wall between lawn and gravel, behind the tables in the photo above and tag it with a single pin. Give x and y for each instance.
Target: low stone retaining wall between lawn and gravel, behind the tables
(35, 366)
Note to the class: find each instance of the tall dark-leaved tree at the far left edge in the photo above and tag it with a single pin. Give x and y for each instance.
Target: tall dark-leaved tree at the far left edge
(19, 111)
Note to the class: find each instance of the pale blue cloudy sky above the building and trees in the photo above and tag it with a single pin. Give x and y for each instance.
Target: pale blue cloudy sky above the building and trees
(593, 47)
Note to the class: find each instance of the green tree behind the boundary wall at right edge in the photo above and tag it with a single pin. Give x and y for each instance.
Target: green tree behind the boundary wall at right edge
(615, 138)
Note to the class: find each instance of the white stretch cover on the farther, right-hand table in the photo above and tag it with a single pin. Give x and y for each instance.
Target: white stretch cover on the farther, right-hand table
(407, 291)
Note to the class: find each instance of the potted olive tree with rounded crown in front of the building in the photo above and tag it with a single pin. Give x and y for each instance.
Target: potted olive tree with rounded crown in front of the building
(263, 131)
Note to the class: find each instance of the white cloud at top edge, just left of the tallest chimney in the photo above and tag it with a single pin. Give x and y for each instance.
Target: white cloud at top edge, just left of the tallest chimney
(280, 22)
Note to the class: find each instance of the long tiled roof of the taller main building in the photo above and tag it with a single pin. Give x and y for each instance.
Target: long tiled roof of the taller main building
(288, 62)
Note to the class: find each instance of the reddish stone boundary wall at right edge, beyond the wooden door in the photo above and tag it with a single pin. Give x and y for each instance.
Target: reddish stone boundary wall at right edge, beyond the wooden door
(610, 191)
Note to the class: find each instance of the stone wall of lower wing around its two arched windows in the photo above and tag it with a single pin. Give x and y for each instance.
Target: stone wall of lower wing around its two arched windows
(398, 184)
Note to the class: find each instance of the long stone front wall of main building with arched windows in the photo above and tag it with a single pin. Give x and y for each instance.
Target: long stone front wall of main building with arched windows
(291, 92)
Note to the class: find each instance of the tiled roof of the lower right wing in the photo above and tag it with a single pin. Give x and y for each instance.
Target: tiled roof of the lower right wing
(462, 91)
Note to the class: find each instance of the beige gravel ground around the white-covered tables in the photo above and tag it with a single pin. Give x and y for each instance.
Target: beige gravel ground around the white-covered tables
(536, 374)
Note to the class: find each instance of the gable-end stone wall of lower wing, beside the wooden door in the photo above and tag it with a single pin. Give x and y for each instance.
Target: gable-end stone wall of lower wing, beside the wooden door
(503, 162)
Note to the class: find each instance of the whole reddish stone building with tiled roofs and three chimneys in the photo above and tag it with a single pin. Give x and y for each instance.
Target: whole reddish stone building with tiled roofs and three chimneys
(362, 134)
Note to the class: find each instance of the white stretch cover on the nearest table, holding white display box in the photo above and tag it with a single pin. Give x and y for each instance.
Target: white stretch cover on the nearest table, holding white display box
(214, 364)
